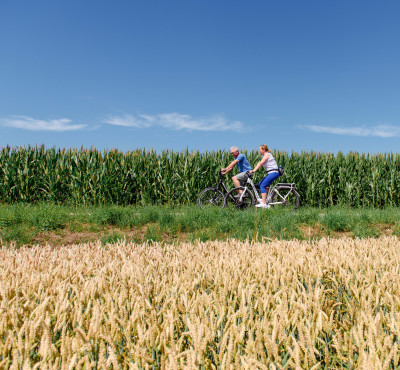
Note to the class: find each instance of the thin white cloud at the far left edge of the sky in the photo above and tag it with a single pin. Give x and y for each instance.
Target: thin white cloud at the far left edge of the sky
(31, 124)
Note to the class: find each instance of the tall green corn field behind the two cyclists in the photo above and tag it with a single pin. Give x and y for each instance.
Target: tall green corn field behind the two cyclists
(145, 177)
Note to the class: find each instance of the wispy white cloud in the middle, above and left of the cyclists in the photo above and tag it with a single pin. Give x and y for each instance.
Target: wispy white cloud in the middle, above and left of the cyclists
(177, 121)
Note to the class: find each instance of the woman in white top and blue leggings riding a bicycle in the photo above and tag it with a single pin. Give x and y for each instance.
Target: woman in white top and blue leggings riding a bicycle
(270, 165)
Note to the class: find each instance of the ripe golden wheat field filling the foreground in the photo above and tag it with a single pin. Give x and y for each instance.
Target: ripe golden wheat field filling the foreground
(280, 304)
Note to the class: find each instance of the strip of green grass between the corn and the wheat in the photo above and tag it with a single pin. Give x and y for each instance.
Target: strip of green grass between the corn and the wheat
(40, 223)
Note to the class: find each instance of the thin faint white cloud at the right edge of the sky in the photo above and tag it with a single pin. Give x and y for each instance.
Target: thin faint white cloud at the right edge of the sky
(384, 131)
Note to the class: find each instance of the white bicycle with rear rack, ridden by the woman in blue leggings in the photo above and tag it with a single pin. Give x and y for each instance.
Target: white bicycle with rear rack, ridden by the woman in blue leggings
(279, 195)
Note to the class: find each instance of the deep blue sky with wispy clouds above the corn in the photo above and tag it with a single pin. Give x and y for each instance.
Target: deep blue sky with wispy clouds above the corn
(319, 75)
